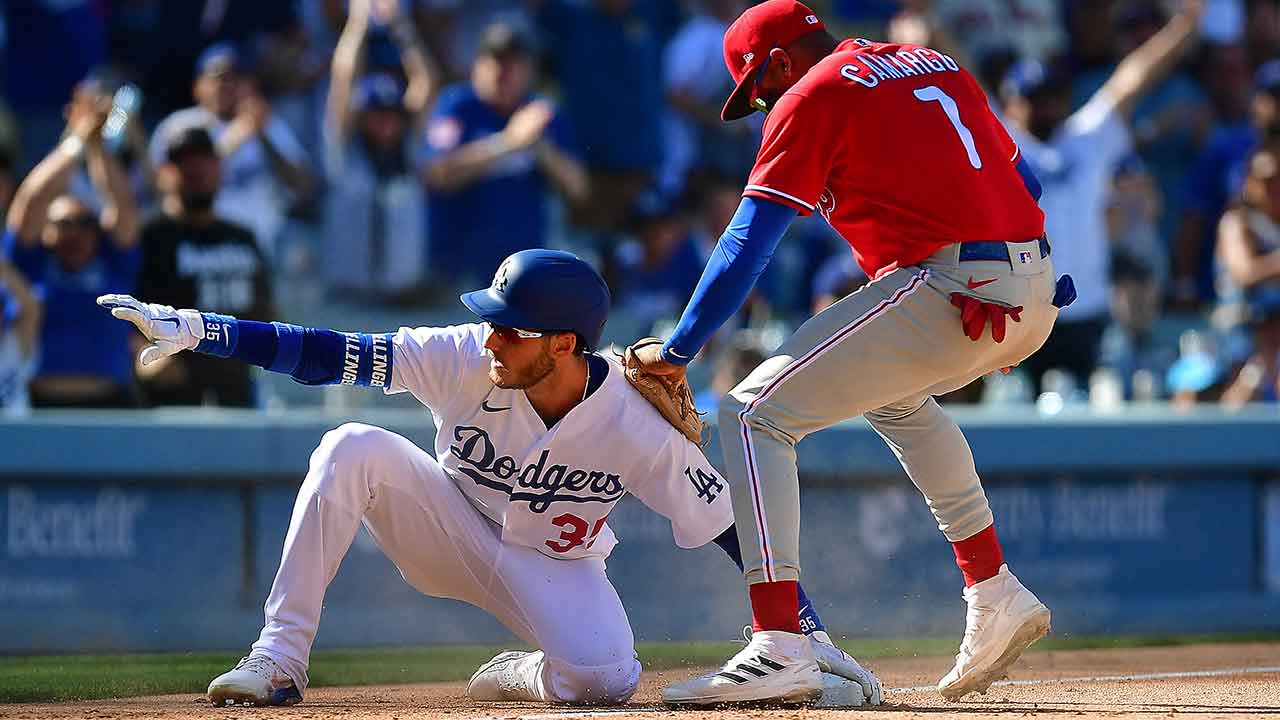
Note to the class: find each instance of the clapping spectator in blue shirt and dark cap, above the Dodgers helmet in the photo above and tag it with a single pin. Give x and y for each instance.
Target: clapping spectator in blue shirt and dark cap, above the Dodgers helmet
(493, 153)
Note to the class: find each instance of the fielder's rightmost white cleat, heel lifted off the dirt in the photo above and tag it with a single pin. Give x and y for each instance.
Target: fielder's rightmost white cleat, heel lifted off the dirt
(1004, 619)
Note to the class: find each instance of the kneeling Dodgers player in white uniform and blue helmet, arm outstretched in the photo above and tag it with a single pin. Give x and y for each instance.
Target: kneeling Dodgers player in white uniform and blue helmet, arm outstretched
(538, 439)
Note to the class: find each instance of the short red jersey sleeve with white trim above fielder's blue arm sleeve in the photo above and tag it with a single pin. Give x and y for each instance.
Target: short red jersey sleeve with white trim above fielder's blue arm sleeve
(802, 138)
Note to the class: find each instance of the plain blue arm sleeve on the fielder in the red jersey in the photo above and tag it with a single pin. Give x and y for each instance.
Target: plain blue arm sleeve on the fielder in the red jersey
(740, 257)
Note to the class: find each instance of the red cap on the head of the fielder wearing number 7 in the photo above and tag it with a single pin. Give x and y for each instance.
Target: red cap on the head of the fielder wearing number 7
(774, 24)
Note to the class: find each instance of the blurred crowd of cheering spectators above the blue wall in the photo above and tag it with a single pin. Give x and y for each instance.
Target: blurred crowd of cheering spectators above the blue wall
(335, 160)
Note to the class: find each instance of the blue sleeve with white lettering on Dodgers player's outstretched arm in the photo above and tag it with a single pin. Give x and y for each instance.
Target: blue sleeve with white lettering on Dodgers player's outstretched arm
(309, 356)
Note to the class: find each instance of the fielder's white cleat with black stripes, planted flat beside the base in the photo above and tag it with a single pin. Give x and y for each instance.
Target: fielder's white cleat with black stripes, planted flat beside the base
(775, 668)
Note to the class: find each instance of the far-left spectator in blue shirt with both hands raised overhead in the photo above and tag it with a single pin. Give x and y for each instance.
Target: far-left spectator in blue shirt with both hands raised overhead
(72, 257)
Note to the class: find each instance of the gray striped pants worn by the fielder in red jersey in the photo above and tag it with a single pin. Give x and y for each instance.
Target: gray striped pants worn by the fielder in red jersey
(883, 352)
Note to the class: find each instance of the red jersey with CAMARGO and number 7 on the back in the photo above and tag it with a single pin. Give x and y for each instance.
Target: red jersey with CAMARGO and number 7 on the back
(898, 149)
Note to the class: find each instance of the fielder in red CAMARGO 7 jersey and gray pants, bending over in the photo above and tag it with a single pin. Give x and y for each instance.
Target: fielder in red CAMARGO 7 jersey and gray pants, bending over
(897, 148)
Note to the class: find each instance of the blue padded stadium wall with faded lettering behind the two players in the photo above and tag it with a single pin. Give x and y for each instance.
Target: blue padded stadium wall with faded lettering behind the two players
(162, 531)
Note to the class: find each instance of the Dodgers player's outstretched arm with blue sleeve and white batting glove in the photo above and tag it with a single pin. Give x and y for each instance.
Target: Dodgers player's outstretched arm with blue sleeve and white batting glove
(309, 356)
